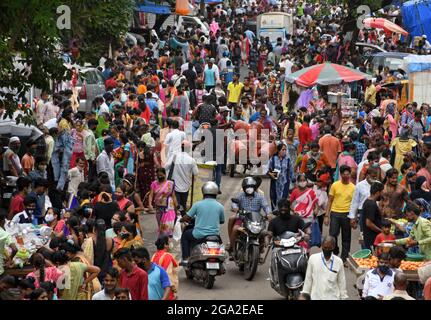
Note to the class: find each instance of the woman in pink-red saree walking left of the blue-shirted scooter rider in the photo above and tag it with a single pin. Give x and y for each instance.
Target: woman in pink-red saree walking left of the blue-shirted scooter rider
(162, 195)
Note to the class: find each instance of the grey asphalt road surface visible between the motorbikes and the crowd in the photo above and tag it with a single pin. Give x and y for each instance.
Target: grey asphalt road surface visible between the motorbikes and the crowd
(232, 285)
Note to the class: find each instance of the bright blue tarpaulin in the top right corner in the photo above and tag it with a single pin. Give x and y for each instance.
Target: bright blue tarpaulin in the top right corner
(417, 17)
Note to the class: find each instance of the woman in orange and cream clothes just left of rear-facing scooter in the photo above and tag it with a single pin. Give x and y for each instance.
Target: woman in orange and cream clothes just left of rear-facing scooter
(167, 261)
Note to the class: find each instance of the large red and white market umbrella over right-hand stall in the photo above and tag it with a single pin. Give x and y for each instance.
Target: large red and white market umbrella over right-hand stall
(326, 74)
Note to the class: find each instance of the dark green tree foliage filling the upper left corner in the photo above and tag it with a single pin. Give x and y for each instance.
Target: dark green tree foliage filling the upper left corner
(31, 45)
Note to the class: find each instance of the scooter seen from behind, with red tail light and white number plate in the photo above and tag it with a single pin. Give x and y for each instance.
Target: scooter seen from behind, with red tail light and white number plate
(206, 260)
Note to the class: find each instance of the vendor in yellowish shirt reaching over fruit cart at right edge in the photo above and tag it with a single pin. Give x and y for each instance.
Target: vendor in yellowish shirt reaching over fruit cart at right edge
(420, 233)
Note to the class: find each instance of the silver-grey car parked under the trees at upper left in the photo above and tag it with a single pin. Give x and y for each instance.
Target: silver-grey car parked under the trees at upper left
(90, 85)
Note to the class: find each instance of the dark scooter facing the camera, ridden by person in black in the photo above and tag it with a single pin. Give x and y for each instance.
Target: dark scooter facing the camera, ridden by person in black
(288, 264)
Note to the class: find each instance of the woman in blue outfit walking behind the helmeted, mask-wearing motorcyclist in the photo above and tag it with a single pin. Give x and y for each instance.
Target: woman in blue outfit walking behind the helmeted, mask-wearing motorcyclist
(281, 173)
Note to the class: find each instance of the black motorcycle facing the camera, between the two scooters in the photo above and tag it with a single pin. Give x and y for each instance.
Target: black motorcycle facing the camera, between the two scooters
(246, 251)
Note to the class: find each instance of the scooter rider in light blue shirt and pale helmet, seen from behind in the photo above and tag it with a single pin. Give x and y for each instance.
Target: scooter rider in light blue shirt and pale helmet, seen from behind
(208, 215)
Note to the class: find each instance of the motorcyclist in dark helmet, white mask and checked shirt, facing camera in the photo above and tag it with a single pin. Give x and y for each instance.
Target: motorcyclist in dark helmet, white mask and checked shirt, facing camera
(249, 200)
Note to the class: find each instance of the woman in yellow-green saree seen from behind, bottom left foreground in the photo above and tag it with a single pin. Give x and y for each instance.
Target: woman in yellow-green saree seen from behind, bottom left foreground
(79, 280)
